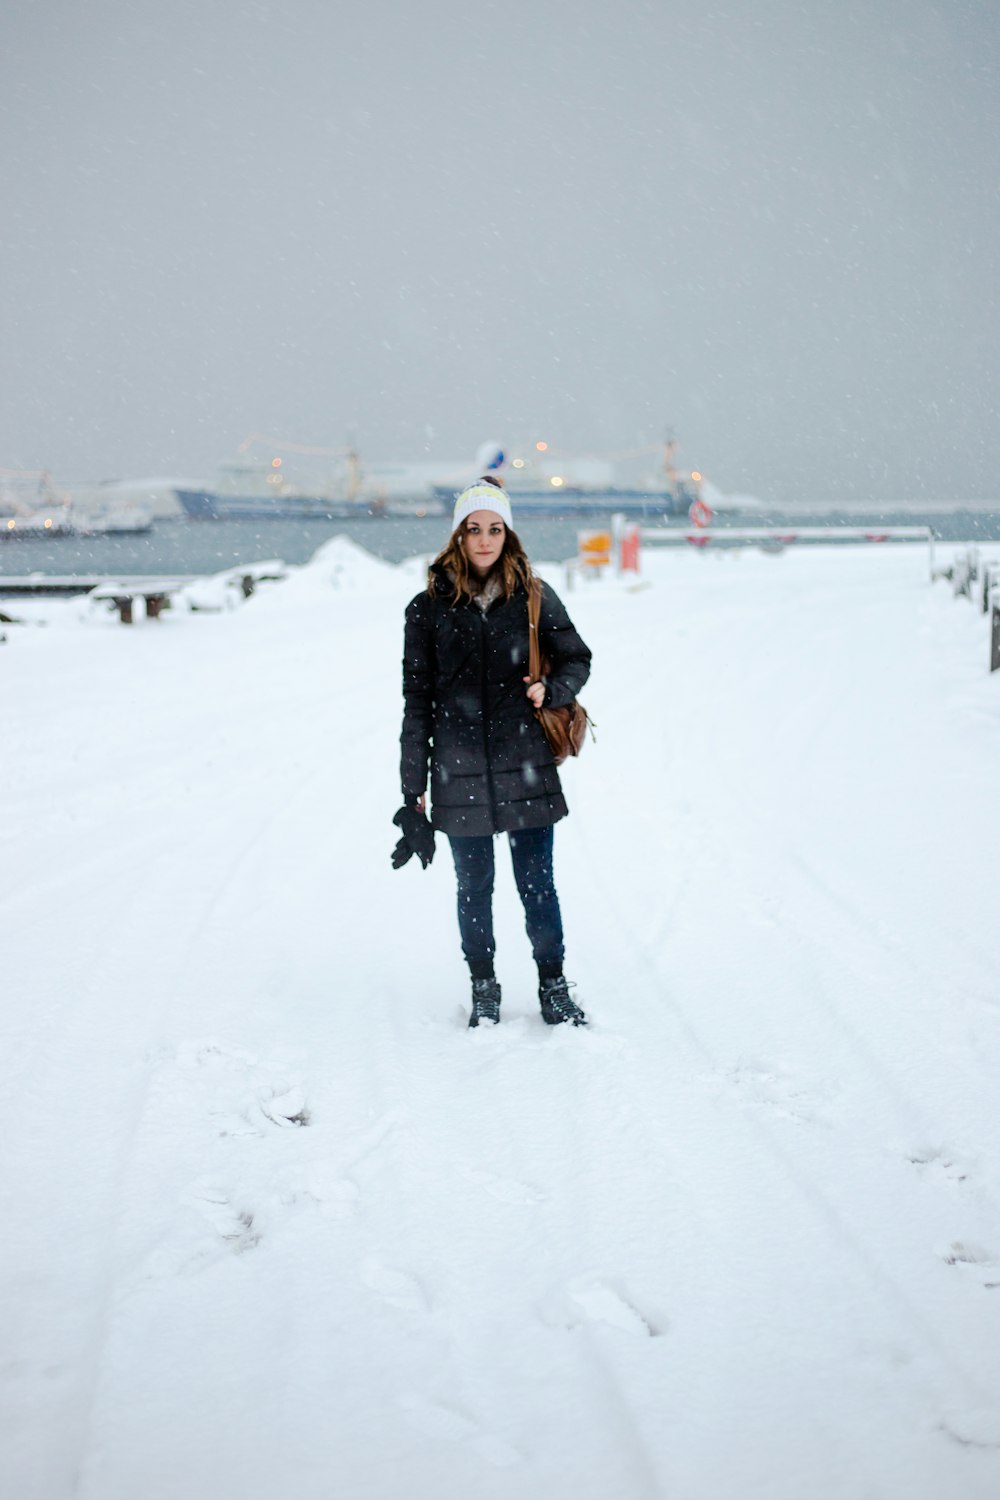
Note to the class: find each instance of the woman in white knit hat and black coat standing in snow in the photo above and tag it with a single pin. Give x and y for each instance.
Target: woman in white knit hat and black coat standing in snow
(470, 718)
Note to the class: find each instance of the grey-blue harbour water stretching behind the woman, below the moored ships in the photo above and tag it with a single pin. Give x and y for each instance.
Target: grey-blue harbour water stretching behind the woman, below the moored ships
(209, 547)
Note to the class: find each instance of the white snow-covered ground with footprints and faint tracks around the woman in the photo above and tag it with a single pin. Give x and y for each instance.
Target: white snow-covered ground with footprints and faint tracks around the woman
(277, 1223)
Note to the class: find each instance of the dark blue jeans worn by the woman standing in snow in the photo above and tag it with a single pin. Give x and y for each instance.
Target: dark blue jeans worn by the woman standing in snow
(531, 856)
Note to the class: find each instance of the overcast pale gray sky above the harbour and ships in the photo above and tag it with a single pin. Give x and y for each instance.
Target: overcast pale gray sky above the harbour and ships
(771, 227)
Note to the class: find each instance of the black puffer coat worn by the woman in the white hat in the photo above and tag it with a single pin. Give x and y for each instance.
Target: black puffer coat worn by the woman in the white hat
(469, 713)
